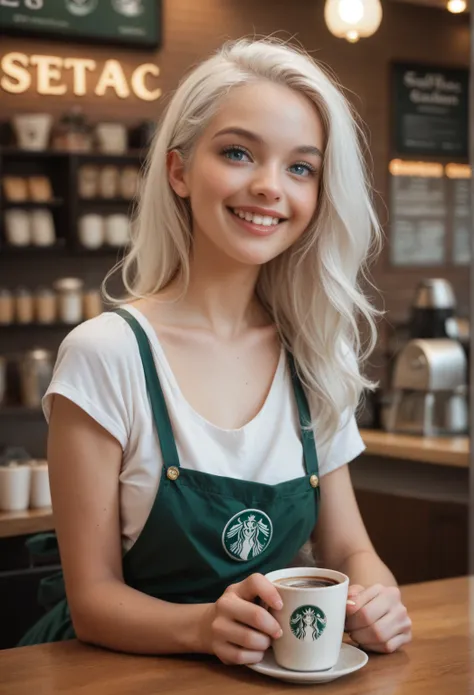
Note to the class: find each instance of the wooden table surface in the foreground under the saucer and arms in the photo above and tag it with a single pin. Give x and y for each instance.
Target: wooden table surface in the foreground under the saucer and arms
(439, 661)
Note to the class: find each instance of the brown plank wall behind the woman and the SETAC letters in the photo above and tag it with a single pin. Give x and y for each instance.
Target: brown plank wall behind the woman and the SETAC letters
(193, 29)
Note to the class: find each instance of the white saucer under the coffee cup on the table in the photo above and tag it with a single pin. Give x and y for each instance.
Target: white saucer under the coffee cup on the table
(350, 659)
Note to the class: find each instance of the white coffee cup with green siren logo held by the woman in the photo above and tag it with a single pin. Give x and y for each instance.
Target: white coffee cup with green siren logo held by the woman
(312, 619)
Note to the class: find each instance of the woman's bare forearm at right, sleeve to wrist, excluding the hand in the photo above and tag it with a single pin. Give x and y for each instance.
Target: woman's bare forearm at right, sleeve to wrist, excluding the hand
(341, 540)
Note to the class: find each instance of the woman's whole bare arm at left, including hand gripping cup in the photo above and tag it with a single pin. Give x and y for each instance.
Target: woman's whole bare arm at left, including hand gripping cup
(84, 462)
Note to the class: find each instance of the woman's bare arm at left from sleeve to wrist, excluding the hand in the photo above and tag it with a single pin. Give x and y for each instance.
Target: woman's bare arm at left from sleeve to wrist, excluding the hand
(84, 464)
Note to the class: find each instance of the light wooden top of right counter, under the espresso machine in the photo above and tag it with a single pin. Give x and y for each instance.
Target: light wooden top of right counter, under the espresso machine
(443, 451)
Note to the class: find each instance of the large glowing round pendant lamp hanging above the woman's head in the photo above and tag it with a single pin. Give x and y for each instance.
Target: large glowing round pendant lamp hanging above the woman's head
(353, 19)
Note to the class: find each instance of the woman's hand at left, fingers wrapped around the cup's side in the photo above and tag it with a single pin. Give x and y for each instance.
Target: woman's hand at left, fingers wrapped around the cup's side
(237, 630)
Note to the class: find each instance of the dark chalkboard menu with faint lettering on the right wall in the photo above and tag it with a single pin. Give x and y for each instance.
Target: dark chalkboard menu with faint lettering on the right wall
(430, 111)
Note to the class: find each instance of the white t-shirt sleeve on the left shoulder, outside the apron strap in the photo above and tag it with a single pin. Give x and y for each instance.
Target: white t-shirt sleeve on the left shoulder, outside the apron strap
(93, 371)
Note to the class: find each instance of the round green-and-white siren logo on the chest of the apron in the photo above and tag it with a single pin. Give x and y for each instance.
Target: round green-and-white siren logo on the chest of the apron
(247, 534)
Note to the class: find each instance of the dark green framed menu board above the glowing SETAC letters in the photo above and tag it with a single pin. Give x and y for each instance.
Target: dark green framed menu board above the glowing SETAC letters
(129, 22)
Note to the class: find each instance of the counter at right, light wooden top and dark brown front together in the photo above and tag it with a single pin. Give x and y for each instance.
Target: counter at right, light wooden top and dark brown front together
(413, 493)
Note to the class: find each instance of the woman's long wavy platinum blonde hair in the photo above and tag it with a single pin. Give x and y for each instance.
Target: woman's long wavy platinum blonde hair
(312, 290)
